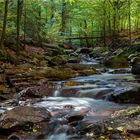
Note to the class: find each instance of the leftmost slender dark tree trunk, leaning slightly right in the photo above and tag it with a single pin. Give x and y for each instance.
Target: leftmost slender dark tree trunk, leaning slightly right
(4, 23)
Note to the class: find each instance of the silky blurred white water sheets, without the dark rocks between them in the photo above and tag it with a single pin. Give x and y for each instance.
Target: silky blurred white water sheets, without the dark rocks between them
(77, 95)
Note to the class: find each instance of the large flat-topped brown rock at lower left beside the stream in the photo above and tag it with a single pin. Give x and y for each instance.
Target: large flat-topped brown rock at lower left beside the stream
(20, 116)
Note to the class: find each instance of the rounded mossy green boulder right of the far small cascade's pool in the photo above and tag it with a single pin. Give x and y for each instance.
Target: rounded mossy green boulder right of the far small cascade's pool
(116, 61)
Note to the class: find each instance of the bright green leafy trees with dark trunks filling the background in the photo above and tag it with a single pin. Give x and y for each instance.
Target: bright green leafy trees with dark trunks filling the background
(56, 20)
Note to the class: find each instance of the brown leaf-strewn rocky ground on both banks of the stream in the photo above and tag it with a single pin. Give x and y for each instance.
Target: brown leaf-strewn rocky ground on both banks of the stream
(34, 75)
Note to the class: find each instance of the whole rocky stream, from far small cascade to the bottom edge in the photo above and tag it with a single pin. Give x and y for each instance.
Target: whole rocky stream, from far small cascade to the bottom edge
(81, 100)
